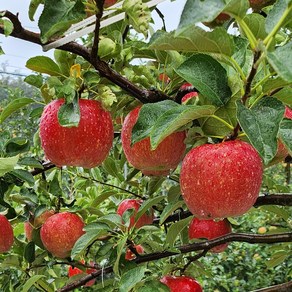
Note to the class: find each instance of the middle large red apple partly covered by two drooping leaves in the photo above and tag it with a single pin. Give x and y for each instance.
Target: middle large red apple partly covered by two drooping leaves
(160, 161)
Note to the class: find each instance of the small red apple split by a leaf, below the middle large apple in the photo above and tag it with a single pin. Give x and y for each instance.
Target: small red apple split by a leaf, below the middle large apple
(146, 218)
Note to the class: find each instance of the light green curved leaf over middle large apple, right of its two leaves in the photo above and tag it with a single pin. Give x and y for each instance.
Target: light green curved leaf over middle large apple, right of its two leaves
(174, 119)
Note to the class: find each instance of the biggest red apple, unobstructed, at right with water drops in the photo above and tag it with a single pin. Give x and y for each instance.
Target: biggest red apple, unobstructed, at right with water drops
(221, 180)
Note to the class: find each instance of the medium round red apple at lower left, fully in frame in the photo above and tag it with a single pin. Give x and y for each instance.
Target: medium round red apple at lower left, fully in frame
(60, 232)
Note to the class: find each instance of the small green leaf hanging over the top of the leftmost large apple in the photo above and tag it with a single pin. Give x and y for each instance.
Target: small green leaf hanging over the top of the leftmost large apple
(69, 114)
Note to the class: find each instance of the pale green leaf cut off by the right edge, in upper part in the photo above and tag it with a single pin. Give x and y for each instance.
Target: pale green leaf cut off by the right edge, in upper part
(281, 62)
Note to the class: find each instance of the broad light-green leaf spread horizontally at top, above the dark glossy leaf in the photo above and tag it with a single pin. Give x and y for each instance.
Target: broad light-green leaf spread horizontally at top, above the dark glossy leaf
(196, 40)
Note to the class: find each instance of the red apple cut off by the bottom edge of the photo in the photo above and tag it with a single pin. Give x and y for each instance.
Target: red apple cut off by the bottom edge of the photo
(181, 284)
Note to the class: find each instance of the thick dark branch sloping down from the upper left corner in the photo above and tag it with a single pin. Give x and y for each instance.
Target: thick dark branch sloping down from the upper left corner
(145, 96)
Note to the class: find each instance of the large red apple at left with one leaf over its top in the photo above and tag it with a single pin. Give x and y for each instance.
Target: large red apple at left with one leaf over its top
(86, 145)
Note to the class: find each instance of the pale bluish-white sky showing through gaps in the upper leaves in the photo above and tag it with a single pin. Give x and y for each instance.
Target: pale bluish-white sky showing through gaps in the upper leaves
(17, 52)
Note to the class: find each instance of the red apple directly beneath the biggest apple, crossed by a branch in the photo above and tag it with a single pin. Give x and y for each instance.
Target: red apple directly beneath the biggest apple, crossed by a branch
(210, 229)
